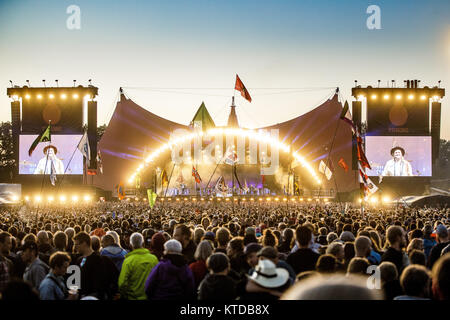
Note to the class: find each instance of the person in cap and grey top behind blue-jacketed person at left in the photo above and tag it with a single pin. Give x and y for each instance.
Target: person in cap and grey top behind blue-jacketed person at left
(36, 270)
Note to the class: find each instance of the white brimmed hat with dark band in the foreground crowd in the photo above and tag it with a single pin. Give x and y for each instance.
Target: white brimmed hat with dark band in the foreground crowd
(267, 275)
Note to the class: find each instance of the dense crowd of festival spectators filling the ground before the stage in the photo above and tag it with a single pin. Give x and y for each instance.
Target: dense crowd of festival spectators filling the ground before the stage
(223, 251)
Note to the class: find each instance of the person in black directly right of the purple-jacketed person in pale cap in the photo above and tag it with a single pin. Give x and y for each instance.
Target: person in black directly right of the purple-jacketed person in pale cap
(217, 285)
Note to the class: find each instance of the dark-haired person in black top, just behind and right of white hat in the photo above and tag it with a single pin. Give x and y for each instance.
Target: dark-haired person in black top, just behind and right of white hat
(304, 258)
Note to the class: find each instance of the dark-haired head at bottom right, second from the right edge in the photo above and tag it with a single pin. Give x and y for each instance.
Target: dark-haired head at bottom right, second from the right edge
(415, 281)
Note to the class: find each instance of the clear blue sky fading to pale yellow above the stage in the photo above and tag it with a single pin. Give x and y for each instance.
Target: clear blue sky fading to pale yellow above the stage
(203, 44)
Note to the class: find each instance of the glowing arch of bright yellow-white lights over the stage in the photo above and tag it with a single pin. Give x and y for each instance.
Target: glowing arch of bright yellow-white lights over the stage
(259, 137)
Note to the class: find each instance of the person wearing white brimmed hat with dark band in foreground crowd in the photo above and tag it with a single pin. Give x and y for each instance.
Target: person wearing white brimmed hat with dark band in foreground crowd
(267, 282)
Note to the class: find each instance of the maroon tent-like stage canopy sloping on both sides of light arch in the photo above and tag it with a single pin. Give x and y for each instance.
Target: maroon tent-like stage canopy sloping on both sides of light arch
(134, 131)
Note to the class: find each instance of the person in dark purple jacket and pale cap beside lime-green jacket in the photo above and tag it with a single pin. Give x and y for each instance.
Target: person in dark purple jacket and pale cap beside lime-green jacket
(171, 278)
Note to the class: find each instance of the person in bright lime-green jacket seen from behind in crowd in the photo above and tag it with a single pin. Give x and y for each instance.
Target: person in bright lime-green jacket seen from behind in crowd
(135, 269)
